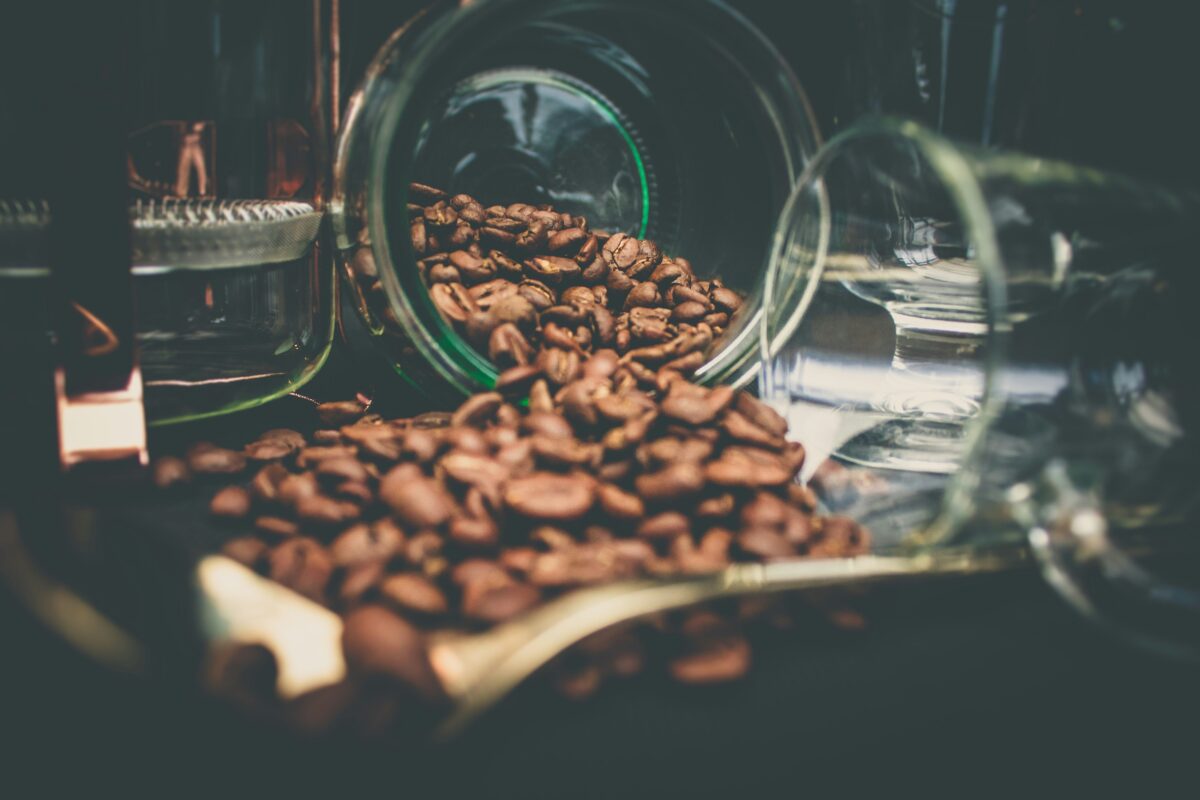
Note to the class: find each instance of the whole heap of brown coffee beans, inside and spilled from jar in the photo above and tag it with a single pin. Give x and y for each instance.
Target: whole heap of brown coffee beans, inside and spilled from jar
(593, 460)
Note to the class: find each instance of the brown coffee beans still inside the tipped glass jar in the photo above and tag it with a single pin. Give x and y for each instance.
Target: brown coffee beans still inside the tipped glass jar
(530, 286)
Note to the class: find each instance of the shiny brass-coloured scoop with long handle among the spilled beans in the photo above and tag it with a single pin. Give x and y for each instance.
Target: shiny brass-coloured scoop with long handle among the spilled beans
(477, 671)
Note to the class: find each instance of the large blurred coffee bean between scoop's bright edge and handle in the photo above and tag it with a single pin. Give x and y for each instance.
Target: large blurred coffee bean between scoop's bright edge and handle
(379, 642)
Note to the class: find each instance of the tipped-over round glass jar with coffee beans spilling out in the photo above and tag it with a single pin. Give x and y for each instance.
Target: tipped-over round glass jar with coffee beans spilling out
(675, 122)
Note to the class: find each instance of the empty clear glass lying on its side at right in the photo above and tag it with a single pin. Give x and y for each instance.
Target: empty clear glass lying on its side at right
(979, 347)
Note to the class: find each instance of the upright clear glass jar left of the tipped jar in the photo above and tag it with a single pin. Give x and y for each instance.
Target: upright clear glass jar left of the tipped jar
(225, 123)
